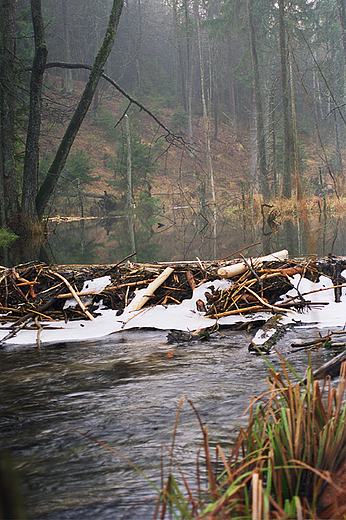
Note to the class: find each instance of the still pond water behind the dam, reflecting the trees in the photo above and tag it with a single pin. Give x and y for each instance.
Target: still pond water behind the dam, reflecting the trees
(108, 240)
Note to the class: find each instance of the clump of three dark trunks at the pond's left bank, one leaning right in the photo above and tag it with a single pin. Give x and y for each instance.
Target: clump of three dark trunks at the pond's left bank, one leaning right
(23, 201)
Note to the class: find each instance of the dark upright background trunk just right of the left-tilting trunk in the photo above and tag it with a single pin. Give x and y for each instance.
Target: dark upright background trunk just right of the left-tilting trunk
(287, 123)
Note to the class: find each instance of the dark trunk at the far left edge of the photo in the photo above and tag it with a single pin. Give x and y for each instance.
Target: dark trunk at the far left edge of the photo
(9, 183)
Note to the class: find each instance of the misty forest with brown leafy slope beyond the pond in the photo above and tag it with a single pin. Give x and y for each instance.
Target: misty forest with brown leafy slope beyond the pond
(208, 103)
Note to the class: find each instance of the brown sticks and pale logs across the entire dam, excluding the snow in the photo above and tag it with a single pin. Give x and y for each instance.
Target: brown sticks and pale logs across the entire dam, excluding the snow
(37, 292)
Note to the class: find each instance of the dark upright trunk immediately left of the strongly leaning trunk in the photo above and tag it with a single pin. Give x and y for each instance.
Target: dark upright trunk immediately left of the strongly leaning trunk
(31, 159)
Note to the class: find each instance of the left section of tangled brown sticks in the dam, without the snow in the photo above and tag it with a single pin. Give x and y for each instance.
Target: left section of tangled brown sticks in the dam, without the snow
(41, 290)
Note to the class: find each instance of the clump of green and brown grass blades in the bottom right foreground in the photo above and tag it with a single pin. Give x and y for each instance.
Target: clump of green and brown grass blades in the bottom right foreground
(282, 464)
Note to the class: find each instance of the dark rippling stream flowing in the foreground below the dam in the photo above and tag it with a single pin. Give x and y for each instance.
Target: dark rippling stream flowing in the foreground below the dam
(124, 391)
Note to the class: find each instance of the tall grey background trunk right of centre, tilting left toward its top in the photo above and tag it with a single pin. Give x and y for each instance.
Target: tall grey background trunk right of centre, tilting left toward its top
(262, 161)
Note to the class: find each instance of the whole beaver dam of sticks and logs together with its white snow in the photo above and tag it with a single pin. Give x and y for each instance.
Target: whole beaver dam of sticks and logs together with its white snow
(52, 303)
